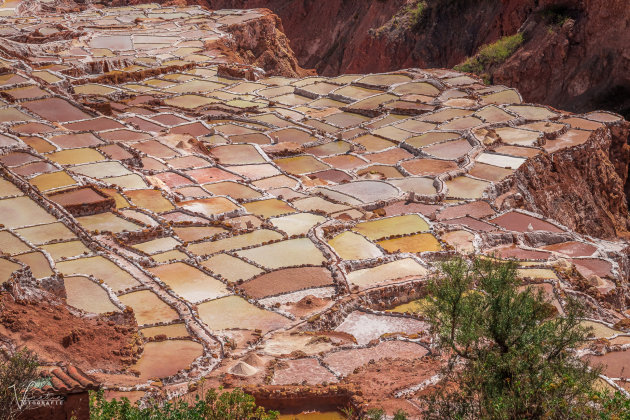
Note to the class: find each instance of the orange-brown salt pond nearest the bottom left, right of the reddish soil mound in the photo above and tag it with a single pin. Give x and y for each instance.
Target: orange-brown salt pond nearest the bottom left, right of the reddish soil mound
(161, 359)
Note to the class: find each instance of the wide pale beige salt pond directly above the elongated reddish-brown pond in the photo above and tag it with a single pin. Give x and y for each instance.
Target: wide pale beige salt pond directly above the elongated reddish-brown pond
(285, 254)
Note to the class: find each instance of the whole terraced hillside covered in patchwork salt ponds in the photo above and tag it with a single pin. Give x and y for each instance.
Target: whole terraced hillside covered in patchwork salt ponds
(272, 231)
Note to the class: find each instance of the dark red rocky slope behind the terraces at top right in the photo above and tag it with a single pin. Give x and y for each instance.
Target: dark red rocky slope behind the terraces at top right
(575, 54)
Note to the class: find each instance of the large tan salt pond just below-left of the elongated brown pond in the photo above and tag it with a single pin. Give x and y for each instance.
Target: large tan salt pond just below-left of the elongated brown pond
(235, 312)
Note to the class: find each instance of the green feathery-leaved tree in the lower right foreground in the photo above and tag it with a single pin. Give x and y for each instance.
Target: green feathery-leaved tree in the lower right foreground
(511, 356)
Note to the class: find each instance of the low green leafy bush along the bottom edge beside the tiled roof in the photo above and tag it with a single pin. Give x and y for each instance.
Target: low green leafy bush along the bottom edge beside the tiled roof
(235, 405)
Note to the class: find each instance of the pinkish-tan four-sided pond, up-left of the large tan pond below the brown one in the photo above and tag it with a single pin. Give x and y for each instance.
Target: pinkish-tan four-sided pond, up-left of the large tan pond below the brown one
(189, 282)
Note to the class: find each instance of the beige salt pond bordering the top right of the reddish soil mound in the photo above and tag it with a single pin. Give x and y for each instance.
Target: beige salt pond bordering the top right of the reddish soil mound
(84, 294)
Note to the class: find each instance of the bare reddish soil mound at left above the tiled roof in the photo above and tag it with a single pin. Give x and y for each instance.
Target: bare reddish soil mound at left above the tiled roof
(46, 326)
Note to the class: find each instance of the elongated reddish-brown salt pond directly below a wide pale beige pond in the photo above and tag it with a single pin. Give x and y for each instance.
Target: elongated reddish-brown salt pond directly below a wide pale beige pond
(287, 280)
